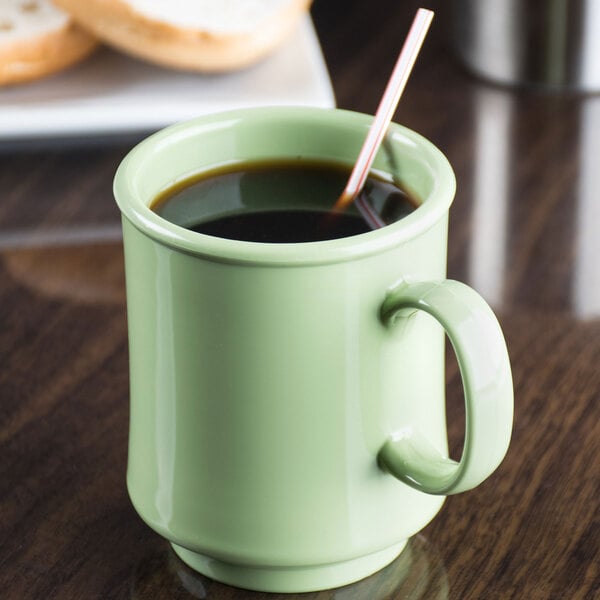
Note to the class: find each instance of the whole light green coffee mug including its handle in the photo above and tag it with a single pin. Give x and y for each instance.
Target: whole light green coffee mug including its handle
(288, 428)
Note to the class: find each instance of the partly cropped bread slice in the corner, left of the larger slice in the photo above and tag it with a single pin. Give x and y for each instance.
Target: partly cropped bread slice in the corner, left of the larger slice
(37, 39)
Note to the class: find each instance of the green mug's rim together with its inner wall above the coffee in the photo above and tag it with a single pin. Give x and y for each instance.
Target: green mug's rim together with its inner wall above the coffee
(184, 151)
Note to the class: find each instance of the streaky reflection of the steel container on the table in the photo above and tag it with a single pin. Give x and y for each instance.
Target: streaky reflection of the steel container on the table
(527, 223)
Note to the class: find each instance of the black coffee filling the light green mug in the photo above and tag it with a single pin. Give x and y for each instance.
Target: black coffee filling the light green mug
(278, 202)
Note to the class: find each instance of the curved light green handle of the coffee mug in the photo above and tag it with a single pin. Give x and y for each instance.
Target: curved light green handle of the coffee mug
(484, 366)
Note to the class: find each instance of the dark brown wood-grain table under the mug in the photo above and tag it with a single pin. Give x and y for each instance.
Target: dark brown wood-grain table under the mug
(524, 231)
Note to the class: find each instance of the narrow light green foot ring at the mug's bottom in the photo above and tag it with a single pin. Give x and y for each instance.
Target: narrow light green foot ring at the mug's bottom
(290, 579)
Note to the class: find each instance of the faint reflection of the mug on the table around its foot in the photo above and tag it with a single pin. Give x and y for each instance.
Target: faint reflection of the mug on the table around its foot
(417, 574)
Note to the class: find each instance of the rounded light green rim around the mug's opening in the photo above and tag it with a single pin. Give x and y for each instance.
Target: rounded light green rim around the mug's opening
(434, 207)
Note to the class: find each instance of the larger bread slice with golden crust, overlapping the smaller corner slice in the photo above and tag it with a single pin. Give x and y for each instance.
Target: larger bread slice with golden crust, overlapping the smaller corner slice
(197, 35)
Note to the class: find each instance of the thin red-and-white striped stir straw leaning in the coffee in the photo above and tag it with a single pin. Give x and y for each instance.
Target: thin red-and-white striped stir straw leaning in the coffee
(383, 116)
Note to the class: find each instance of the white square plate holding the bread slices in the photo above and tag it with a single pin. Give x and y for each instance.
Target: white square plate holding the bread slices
(113, 94)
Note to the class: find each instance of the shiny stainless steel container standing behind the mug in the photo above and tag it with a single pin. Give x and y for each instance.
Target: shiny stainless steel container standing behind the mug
(543, 43)
